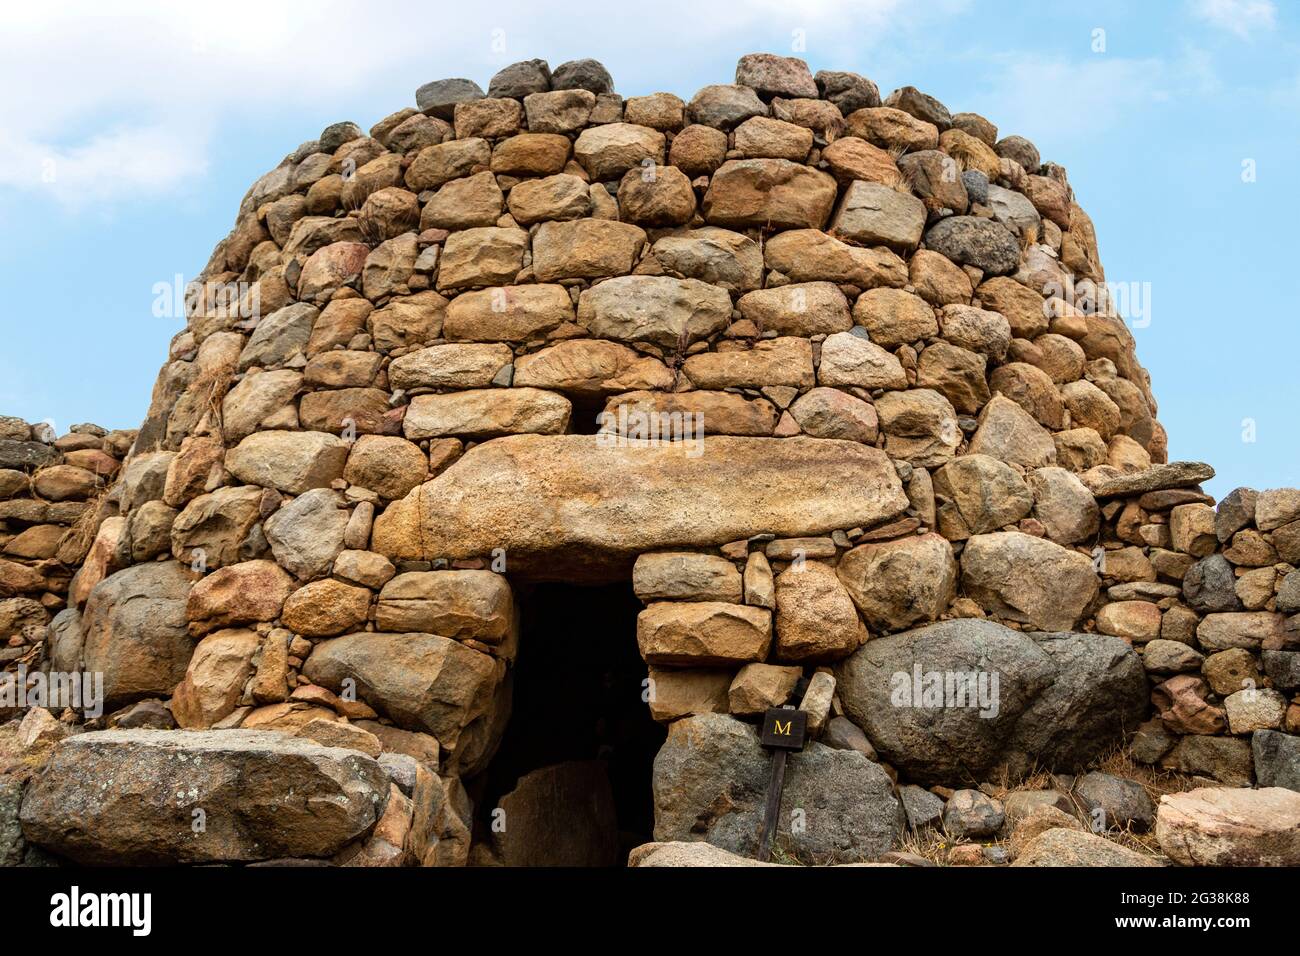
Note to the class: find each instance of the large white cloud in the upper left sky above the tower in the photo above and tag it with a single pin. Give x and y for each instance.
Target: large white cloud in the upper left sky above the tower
(125, 98)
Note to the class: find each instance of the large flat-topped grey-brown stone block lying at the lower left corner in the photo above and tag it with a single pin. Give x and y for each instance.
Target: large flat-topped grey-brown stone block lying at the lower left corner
(164, 798)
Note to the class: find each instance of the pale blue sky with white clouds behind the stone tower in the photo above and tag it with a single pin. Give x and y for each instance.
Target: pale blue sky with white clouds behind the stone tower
(131, 132)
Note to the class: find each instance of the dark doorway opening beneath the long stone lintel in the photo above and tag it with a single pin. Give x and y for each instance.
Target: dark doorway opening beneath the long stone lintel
(578, 720)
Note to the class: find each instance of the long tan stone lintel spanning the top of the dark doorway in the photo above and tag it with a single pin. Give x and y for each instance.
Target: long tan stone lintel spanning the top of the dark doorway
(580, 505)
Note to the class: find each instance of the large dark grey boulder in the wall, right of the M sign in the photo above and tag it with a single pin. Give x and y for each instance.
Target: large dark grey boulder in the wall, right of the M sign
(1052, 699)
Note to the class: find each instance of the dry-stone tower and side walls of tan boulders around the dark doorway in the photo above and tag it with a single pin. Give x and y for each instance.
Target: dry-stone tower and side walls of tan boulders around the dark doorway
(834, 380)
